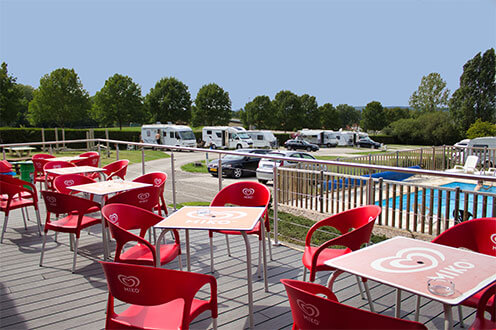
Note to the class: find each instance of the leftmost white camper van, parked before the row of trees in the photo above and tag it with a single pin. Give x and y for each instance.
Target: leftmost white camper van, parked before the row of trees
(172, 135)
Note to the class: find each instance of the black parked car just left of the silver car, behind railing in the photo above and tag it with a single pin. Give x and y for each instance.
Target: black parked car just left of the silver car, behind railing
(237, 166)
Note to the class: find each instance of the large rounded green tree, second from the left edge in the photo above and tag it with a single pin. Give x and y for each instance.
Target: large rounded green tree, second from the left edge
(60, 100)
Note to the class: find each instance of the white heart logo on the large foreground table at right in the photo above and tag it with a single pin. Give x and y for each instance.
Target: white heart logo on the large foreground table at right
(409, 260)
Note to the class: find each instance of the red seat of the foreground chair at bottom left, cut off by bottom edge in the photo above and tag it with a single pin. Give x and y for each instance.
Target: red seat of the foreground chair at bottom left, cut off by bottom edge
(166, 316)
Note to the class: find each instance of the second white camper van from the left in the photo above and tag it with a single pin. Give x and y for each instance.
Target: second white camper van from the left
(225, 137)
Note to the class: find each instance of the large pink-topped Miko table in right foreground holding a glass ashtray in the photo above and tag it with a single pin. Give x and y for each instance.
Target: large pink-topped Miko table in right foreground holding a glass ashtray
(407, 264)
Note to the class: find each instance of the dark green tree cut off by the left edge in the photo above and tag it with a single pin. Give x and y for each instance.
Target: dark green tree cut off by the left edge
(10, 97)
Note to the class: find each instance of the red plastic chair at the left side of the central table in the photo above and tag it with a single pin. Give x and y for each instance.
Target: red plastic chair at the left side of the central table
(121, 218)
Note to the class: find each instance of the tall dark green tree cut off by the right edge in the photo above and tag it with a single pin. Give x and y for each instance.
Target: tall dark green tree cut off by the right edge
(476, 97)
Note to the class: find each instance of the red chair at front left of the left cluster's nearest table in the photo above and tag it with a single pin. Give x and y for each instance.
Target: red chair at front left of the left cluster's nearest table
(76, 219)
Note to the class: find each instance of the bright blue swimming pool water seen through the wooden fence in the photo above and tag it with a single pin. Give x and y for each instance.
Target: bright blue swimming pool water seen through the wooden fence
(436, 192)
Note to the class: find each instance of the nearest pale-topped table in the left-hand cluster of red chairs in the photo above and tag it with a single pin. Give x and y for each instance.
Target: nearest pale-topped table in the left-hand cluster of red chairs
(103, 188)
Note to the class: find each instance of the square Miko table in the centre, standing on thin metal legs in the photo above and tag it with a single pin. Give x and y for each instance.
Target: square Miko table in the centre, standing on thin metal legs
(236, 218)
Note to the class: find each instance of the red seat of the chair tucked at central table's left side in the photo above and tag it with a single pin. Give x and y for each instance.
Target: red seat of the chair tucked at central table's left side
(141, 255)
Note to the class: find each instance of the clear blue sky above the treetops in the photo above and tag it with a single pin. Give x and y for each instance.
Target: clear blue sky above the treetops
(347, 51)
